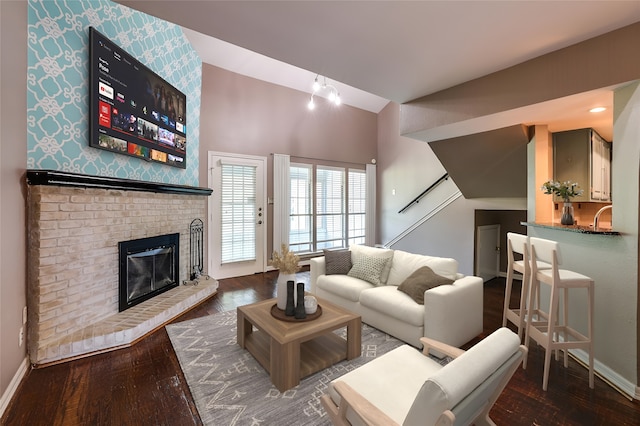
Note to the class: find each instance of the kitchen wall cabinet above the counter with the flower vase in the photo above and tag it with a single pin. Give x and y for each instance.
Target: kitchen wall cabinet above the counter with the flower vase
(583, 156)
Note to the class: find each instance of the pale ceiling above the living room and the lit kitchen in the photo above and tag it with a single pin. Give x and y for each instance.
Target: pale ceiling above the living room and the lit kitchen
(376, 51)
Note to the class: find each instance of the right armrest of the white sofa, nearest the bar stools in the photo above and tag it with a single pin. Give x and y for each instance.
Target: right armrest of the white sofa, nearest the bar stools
(453, 313)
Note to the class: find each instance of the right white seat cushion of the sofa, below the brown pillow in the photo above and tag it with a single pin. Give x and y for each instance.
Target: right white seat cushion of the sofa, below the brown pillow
(390, 302)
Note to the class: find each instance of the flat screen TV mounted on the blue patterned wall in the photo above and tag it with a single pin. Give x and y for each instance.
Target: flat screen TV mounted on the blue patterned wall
(134, 111)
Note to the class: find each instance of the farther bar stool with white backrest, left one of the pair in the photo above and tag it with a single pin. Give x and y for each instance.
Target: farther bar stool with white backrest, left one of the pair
(518, 244)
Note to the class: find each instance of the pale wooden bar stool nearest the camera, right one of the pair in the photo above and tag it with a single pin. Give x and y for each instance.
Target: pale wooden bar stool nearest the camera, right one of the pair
(546, 328)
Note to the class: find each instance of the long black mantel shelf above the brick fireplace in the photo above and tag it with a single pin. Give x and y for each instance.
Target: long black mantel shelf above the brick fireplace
(60, 178)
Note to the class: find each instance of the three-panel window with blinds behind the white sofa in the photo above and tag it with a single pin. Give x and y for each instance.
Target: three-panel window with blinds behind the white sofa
(327, 207)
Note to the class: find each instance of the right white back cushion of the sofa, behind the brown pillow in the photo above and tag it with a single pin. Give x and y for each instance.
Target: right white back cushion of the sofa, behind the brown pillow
(405, 264)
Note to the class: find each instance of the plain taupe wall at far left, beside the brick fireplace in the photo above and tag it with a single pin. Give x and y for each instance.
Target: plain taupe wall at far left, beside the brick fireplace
(13, 158)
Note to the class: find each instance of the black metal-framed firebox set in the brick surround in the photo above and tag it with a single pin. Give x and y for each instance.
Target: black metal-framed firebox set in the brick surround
(148, 267)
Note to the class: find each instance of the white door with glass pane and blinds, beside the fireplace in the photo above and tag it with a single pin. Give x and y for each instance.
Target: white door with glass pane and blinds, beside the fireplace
(237, 215)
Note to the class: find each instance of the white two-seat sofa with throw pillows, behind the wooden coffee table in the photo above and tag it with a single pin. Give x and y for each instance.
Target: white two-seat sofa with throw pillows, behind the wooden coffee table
(452, 312)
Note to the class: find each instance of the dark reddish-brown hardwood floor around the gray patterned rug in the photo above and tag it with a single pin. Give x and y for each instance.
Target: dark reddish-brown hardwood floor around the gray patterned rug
(143, 385)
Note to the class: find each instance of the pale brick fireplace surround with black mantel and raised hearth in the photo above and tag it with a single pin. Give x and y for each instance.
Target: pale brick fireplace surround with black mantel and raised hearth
(74, 225)
